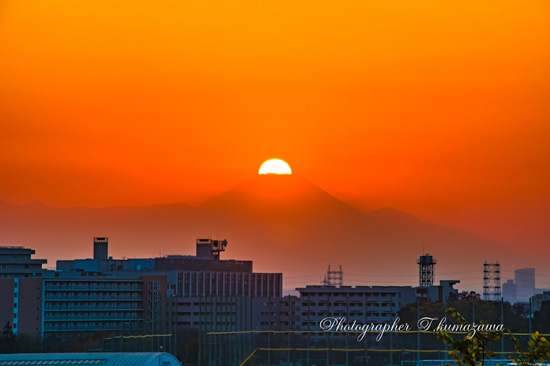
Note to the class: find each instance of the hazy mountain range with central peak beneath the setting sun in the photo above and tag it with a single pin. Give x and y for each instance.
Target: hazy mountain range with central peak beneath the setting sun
(283, 223)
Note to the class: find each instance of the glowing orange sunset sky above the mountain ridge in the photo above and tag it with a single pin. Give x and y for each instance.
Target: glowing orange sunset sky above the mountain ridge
(437, 108)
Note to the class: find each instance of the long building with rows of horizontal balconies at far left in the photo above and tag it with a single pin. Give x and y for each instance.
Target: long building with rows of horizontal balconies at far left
(64, 307)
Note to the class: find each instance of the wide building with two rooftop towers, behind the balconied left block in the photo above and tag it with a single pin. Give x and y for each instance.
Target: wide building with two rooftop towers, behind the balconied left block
(207, 292)
